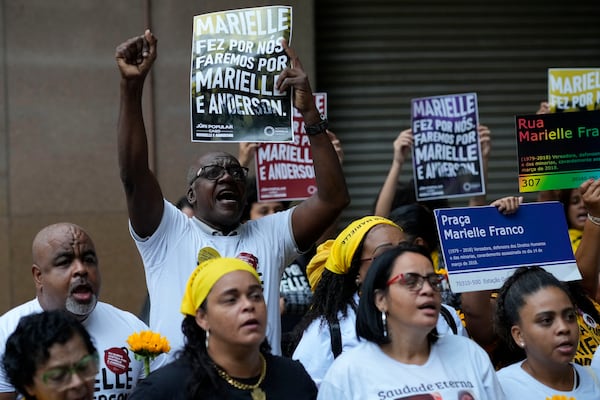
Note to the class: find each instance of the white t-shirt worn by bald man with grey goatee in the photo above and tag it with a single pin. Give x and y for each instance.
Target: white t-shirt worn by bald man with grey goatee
(109, 328)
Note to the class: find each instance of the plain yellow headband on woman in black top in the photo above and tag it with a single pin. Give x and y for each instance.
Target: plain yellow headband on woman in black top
(204, 277)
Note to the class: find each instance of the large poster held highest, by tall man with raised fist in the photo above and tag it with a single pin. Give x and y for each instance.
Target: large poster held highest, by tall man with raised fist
(237, 56)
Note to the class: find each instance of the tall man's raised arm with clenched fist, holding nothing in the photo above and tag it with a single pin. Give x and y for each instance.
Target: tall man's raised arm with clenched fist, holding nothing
(144, 197)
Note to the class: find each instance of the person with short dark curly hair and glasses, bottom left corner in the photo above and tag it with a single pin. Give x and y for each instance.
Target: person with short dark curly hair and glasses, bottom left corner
(50, 356)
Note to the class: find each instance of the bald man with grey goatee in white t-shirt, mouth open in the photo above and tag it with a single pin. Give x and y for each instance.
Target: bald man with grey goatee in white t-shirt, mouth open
(66, 276)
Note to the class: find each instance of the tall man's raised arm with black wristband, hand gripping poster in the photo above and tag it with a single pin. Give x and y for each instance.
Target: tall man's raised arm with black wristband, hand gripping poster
(315, 214)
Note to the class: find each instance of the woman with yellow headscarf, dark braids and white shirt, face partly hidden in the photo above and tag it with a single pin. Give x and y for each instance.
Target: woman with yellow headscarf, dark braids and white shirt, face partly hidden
(335, 274)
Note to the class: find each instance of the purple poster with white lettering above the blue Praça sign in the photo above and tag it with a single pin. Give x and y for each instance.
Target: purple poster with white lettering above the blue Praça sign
(446, 152)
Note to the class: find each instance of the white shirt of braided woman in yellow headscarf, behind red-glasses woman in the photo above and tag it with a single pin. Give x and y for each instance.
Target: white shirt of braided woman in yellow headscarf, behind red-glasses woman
(314, 349)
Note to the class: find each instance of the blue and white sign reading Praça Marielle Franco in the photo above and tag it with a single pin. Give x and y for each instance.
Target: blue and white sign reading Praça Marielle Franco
(482, 247)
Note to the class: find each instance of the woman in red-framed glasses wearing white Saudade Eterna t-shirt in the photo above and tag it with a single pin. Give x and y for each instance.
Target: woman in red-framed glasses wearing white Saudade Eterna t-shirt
(402, 354)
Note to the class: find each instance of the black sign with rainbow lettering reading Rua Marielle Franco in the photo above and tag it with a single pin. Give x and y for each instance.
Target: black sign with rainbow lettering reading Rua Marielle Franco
(557, 151)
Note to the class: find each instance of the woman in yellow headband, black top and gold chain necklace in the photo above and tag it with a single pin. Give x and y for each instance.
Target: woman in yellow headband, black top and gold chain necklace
(226, 355)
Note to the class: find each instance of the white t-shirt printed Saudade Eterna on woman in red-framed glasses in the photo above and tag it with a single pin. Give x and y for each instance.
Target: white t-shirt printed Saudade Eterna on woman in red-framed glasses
(456, 364)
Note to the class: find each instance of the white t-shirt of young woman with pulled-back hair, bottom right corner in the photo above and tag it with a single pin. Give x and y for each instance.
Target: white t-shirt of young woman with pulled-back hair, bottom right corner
(518, 384)
